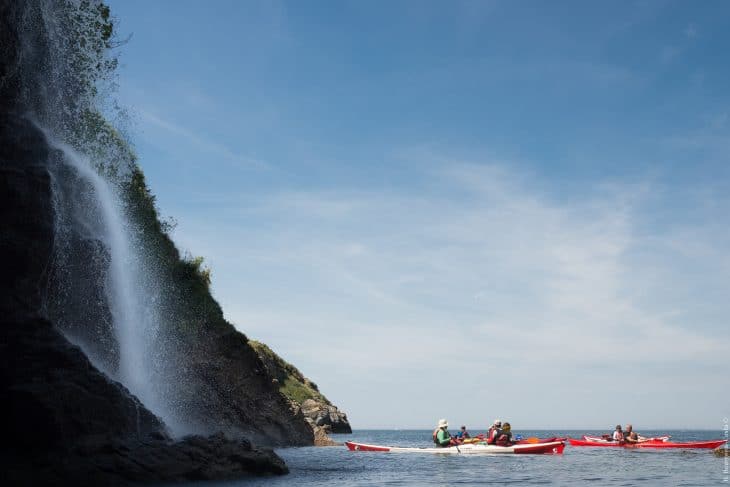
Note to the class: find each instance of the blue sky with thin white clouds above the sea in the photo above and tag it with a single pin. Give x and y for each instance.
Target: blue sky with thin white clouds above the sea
(469, 210)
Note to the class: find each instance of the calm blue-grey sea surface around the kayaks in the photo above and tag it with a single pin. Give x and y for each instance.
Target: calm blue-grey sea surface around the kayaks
(314, 466)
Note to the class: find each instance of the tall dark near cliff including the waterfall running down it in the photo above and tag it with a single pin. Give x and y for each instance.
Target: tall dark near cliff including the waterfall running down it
(80, 404)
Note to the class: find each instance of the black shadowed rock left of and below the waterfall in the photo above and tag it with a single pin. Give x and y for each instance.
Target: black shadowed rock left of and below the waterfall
(67, 423)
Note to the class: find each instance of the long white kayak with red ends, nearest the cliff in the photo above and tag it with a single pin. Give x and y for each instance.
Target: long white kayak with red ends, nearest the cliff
(480, 448)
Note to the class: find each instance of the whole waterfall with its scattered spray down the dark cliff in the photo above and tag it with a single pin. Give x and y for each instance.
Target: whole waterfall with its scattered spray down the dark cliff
(104, 290)
